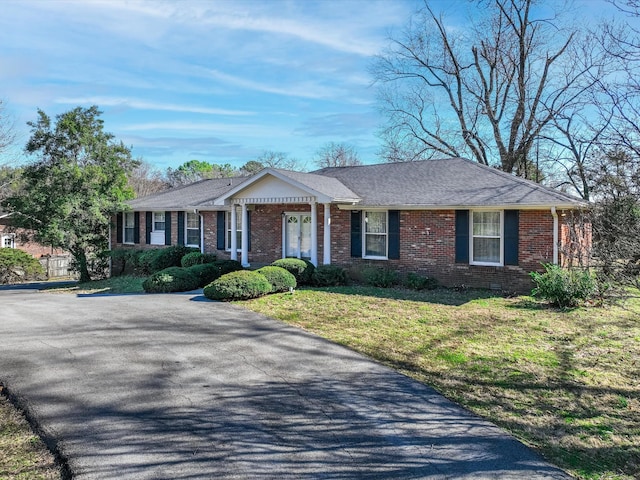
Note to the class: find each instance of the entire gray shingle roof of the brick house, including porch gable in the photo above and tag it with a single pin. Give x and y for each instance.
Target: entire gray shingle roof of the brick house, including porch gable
(447, 183)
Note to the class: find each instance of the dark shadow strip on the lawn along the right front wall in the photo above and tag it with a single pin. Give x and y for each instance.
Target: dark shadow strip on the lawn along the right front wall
(443, 296)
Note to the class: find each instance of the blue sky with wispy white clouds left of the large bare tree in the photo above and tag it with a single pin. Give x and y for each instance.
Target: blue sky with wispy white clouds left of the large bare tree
(220, 81)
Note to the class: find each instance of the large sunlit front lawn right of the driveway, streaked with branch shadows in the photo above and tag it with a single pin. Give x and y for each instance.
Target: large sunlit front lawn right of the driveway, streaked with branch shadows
(566, 383)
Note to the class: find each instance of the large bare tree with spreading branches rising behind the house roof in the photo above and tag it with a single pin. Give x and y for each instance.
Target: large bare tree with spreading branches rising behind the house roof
(487, 93)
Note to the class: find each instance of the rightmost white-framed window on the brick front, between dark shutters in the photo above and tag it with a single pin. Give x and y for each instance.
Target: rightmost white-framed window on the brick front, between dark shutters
(486, 238)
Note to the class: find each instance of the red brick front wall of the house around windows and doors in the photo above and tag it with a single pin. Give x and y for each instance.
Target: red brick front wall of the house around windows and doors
(427, 244)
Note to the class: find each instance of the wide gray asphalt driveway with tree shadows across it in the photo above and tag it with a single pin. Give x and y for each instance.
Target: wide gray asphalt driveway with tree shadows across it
(177, 387)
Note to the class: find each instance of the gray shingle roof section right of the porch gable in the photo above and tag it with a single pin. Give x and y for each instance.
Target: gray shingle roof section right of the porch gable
(443, 183)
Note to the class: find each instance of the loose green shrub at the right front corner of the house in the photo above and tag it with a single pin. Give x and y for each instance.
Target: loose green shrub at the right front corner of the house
(564, 287)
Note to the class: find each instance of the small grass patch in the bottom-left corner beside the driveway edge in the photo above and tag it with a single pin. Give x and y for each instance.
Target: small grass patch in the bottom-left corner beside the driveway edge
(23, 456)
